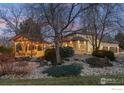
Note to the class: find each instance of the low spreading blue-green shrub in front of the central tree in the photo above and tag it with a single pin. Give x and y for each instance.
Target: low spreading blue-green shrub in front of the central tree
(64, 70)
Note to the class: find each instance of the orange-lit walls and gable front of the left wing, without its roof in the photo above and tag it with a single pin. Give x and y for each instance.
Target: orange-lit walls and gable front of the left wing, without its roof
(26, 51)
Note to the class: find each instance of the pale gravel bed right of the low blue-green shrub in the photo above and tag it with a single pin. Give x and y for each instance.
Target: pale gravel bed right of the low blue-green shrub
(116, 69)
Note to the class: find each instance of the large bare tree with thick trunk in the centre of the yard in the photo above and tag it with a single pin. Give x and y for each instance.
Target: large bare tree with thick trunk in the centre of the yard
(58, 18)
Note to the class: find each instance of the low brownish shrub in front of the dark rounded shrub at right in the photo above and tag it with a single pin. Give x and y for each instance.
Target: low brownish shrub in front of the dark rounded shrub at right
(98, 62)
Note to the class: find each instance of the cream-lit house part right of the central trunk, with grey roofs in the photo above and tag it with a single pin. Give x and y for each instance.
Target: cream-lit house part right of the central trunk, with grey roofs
(82, 45)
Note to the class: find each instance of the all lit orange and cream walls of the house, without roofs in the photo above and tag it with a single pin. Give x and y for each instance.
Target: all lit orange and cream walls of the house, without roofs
(80, 47)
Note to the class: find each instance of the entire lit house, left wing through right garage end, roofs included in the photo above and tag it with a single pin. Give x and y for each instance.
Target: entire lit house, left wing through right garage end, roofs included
(27, 47)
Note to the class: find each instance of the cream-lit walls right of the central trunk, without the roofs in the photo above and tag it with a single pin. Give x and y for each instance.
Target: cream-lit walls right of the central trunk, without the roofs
(86, 47)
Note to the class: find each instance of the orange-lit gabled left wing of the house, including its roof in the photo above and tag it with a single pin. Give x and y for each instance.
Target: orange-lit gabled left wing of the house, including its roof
(25, 46)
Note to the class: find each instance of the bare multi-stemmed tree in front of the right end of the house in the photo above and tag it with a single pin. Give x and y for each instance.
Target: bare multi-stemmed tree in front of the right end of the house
(99, 21)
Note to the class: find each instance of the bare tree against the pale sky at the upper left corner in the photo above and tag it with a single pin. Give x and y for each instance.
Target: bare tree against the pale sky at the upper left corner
(12, 17)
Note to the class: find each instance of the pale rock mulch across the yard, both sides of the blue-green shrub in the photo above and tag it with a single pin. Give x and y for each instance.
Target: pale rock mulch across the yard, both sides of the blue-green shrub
(116, 69)
